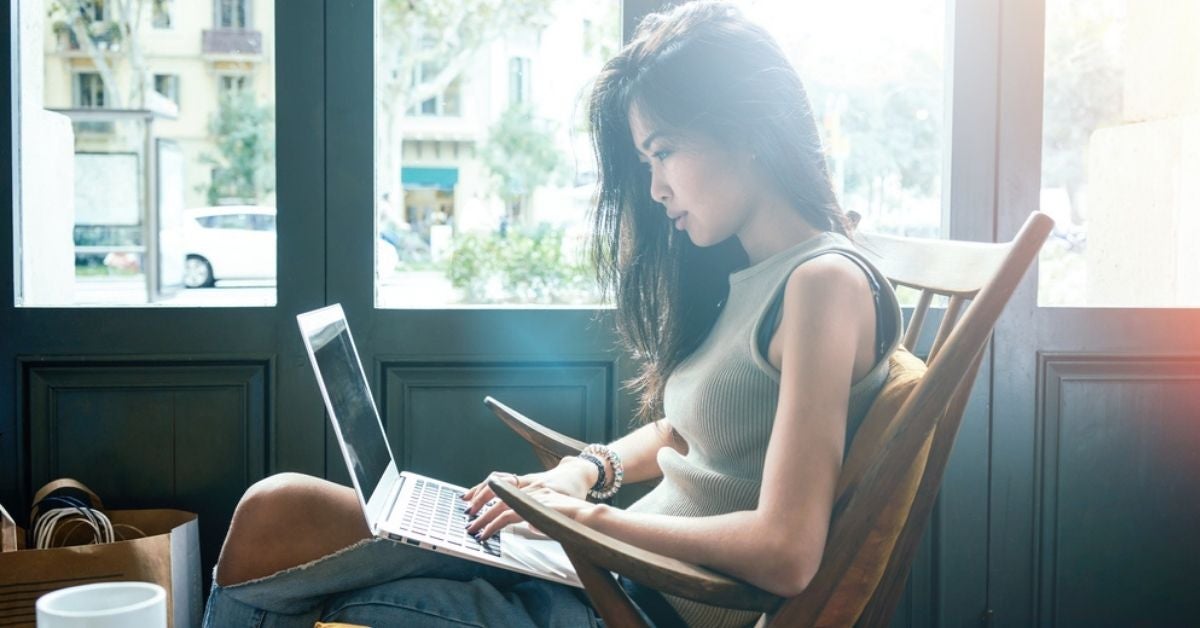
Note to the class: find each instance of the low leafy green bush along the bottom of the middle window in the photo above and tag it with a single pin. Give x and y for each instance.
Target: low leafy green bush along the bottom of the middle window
(525, 266)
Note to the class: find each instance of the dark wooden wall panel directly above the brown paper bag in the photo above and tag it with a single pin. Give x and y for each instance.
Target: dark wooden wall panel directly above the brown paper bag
(152, 435)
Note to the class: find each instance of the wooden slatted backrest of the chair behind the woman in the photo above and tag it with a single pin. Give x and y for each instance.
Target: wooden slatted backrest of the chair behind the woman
(896, 464)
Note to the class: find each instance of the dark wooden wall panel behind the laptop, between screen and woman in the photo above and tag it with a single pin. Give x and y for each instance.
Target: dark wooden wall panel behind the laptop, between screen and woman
(437, 423)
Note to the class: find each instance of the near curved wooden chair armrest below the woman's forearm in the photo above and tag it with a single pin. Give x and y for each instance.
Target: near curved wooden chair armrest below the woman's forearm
(662, 573)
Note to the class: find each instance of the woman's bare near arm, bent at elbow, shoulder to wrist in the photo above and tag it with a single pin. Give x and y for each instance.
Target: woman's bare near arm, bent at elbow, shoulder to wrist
(778, 547)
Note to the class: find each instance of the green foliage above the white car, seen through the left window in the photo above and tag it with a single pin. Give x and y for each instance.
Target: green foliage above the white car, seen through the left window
(245, 137)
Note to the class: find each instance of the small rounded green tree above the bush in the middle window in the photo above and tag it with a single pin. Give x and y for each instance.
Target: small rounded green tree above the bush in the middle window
(521, 155)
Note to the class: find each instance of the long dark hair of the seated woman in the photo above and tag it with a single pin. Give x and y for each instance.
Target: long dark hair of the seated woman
(698, 69)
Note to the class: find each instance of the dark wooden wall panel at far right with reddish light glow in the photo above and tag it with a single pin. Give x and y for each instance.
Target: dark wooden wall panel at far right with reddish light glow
(1120, 491)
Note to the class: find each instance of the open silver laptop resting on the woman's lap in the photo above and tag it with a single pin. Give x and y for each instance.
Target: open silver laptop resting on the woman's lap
(401, 506)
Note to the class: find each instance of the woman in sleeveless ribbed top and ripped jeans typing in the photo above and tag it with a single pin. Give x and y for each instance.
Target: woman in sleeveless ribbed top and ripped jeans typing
(763, 336)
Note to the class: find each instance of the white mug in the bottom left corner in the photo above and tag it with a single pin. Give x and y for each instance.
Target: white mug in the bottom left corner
(105, 606)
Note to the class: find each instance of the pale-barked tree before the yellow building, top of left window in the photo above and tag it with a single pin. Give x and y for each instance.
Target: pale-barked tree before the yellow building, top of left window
(107, 31)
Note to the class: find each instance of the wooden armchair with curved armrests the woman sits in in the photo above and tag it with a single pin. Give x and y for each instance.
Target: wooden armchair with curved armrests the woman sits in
(889, 481)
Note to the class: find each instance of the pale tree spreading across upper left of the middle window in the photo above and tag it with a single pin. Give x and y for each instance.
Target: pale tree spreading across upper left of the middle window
(441, 39)
